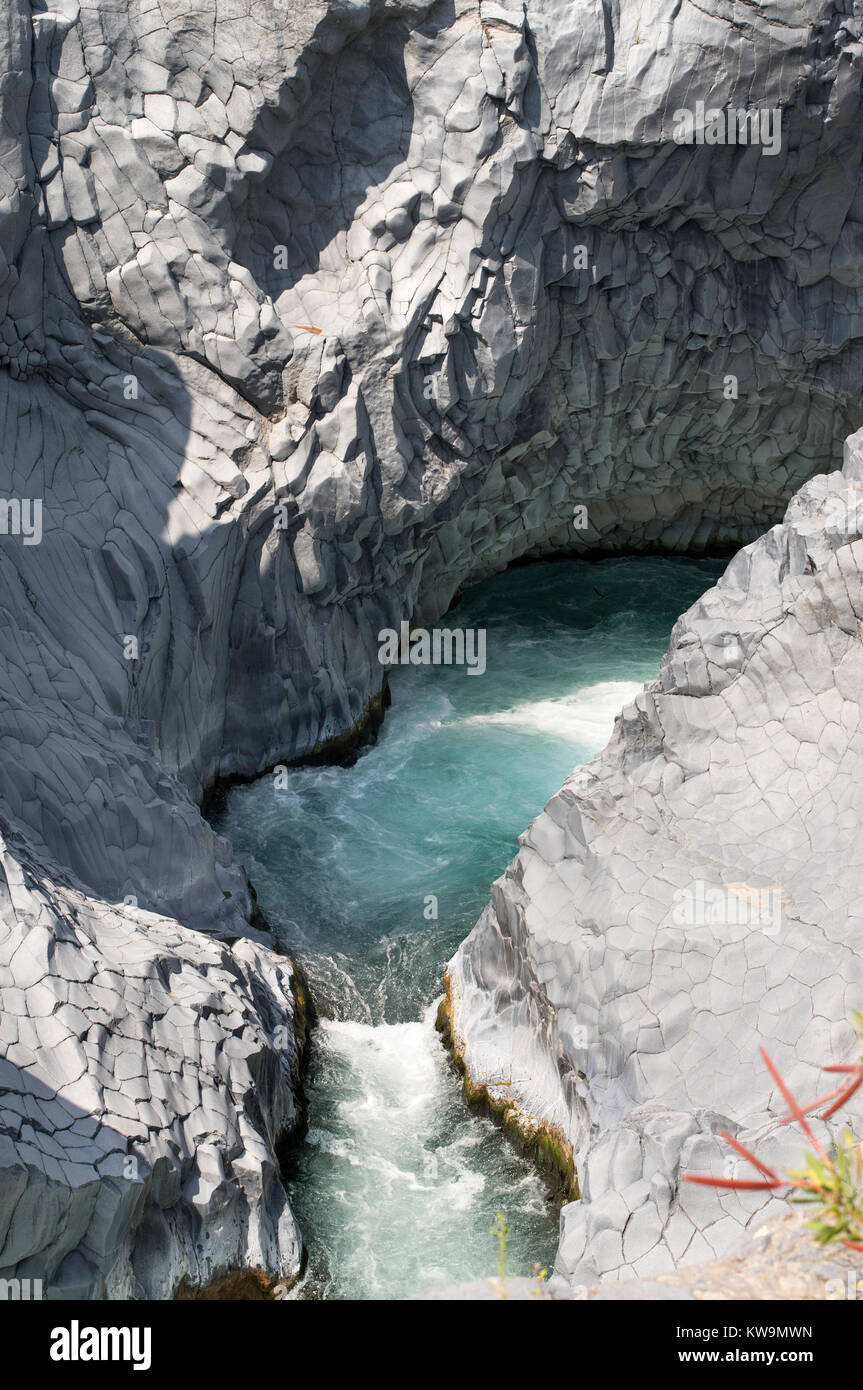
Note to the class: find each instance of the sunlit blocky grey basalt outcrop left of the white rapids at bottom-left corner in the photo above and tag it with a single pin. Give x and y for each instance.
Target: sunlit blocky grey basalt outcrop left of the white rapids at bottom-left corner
(147, 1074)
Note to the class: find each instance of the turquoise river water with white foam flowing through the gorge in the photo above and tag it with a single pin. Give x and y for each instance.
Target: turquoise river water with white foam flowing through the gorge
(373, 875)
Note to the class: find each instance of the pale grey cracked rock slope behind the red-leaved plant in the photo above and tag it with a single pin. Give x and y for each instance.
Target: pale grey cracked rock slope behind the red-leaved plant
(689, 897)
